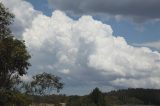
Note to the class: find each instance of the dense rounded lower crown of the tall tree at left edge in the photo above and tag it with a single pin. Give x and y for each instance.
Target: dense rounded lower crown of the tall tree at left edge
(13, 61)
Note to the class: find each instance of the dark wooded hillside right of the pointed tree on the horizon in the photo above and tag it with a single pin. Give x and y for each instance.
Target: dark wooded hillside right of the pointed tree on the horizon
(136, 96)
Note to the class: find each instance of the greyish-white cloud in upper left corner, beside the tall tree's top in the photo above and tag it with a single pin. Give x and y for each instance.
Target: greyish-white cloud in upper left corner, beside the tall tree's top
(24, 14)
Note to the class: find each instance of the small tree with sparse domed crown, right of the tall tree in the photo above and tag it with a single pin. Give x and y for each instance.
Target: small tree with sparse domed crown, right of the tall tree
(44, 84)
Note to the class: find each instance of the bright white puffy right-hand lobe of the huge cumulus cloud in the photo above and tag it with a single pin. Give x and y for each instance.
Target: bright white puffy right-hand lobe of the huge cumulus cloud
(117, 57)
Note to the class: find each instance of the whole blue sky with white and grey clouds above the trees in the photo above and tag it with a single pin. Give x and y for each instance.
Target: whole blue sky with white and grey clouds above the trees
(108, 44)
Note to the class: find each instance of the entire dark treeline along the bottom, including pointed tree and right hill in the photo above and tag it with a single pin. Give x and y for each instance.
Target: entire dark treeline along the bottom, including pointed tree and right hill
(137, 96)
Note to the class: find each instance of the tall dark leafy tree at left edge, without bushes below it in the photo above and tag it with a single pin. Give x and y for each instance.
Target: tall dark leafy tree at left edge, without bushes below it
(13, 53)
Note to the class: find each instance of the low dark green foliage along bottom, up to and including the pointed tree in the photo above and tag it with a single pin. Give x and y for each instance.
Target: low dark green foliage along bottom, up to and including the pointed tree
(95, 98)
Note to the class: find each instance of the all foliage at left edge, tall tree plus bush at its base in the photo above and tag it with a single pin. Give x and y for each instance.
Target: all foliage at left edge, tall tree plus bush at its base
(13, 62)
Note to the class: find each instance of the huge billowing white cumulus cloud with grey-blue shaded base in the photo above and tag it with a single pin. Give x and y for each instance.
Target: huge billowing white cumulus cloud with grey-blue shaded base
(85, 53)
